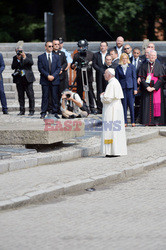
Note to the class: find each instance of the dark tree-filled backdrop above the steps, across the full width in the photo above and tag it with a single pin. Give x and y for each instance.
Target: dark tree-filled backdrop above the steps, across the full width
(132, 19)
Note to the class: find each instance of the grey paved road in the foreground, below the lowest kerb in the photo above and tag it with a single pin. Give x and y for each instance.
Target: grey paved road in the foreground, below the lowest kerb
(124, 216)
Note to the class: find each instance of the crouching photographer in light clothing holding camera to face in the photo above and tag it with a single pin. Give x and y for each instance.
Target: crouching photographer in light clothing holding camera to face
(72, 106)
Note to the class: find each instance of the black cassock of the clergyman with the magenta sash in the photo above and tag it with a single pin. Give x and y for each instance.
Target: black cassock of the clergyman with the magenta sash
(147, 116)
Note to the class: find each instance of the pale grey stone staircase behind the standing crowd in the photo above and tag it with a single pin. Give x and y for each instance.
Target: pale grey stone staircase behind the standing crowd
(8, 51)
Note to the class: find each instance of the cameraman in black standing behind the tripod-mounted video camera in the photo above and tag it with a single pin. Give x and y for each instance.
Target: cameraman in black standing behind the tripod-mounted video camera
(82, 62)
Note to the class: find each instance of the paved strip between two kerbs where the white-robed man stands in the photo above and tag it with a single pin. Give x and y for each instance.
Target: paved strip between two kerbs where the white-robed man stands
(20, 182)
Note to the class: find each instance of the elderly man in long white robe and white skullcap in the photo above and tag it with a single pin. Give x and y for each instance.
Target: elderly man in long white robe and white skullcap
(113, 141)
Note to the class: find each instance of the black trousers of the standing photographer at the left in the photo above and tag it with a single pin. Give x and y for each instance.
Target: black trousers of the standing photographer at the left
(24, 87)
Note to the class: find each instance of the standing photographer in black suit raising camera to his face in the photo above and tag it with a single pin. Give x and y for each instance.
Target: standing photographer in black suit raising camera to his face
(23, 77)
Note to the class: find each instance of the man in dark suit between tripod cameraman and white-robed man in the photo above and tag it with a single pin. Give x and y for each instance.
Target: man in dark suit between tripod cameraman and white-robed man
(98, 63)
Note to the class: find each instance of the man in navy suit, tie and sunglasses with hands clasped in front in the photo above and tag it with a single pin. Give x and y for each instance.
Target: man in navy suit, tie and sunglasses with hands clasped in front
(49, 68)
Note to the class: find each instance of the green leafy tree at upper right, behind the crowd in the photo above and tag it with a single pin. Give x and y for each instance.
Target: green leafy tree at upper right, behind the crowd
(132, 18)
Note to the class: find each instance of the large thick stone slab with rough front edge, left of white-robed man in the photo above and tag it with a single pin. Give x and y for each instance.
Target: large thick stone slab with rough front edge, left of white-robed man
(24, 131)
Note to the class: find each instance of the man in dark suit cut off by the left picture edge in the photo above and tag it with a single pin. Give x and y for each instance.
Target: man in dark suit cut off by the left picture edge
(2, 93)
